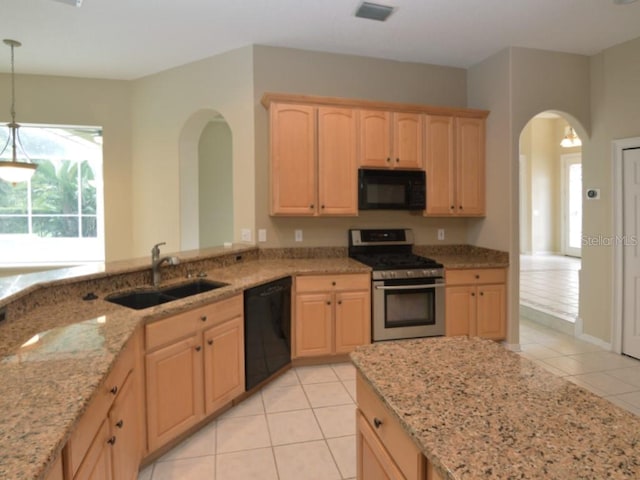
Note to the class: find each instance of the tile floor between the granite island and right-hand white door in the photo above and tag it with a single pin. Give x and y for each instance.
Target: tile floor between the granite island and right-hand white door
(607, 374)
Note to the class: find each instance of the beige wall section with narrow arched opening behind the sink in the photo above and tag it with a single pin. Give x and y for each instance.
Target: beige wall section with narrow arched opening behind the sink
(165, 143)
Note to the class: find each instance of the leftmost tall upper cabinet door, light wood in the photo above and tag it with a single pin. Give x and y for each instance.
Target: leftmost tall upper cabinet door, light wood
(293, 159)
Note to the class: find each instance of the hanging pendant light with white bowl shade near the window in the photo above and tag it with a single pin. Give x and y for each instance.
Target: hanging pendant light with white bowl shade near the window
(12, 170)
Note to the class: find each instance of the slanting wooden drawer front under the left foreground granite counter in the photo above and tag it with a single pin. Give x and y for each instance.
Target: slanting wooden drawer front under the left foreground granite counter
(88, 426)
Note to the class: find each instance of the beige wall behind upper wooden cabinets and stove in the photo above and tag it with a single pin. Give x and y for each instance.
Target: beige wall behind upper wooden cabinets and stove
(314, 73)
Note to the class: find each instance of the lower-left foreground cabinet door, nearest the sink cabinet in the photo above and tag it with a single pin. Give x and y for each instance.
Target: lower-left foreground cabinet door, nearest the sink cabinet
(125, 432)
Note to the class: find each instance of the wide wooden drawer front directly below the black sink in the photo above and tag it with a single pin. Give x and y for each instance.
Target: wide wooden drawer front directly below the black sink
(184, 324)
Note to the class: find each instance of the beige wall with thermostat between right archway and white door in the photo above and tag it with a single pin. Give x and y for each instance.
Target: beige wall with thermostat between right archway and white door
(615, 102)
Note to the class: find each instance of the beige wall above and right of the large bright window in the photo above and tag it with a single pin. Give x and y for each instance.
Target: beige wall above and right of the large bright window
(76, 101)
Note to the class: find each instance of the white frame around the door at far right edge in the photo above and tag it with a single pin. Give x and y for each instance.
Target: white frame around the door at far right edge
(618, 147)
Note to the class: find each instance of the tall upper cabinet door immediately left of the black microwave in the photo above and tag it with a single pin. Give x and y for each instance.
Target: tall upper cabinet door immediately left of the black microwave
(337, 164)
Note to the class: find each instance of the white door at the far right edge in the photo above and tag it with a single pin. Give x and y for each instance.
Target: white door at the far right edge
(631, 252)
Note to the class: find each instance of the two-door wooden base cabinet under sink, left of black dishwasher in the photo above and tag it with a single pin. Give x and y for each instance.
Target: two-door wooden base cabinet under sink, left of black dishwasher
(194, 366)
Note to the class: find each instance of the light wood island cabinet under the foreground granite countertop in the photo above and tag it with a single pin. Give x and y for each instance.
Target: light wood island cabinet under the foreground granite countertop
(384, 451)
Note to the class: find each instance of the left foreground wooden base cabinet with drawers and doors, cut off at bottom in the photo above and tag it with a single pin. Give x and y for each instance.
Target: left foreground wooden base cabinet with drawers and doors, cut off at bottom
(107, 443)
